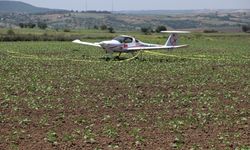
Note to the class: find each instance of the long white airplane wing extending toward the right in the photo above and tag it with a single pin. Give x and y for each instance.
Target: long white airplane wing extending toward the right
(155, 48)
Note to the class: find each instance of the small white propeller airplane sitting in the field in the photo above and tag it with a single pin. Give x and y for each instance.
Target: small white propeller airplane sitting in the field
(129, 44)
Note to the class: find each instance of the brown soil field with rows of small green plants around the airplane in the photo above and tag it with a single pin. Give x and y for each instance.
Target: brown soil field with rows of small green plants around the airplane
(60, 95)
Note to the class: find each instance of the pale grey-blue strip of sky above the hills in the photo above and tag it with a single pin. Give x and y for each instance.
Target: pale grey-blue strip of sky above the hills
(140, 4)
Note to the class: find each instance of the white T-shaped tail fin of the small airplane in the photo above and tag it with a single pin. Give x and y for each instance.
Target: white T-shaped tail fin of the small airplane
(173, 38)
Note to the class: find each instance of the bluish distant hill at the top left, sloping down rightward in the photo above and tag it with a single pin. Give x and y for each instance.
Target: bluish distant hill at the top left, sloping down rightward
(21, 7)
